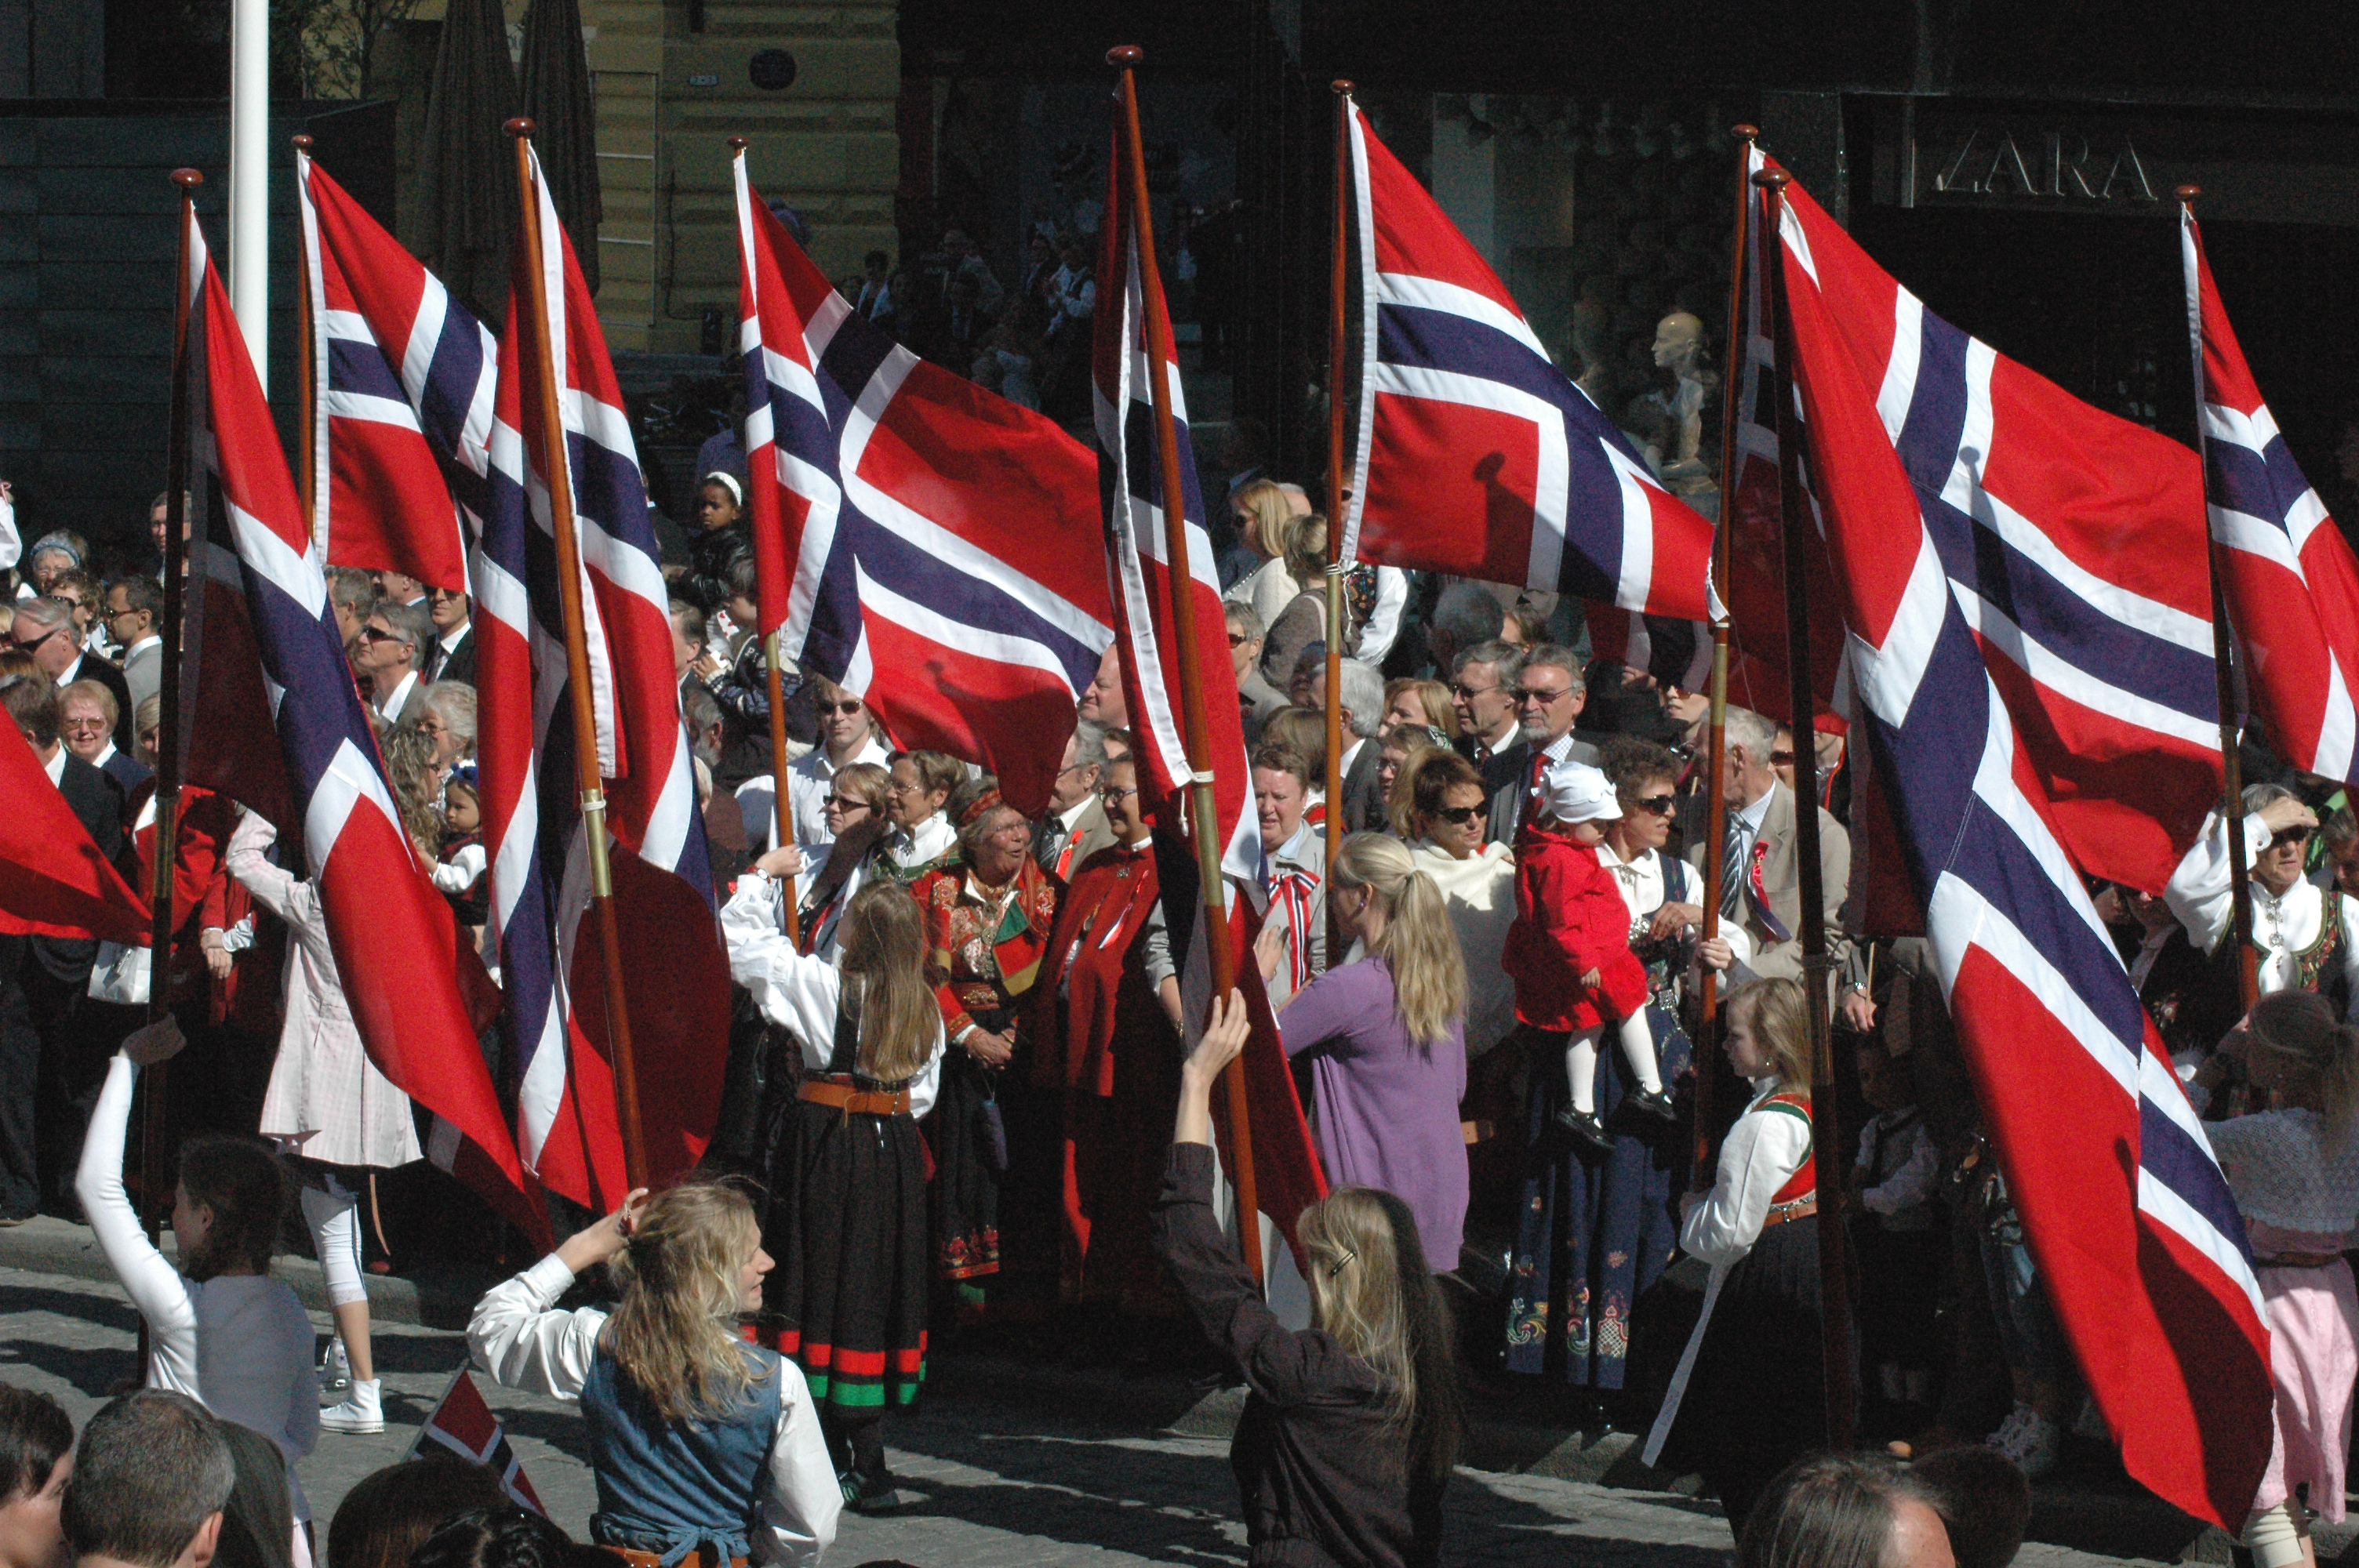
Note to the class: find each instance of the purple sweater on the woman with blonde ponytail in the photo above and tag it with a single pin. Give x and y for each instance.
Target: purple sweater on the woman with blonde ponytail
(1388, 1107)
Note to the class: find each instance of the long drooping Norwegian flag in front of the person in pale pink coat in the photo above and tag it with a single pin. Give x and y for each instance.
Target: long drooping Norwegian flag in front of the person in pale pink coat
(277, 725)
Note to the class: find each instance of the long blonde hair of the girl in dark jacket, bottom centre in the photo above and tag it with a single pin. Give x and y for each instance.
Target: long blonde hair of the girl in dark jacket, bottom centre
(1374, 1293)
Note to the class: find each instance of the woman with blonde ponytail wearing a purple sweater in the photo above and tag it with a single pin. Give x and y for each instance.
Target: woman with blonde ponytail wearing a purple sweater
(1386, 1041)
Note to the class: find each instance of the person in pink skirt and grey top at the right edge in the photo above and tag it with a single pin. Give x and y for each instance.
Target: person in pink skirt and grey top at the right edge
(2296, 1180)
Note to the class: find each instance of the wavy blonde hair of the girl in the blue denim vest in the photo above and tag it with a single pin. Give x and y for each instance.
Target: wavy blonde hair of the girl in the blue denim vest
(673, 1333)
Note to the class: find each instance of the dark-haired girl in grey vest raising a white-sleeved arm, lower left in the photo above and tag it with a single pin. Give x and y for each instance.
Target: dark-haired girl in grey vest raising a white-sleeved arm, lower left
(223, 1331)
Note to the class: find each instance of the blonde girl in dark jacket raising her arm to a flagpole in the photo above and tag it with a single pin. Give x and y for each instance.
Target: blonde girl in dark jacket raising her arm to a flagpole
(1353, 1425)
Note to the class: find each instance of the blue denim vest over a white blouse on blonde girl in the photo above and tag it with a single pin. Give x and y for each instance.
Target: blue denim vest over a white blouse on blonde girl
(673, 1487)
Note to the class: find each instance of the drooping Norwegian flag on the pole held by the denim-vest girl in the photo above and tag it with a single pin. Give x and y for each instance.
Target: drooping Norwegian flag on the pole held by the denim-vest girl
(553, 970)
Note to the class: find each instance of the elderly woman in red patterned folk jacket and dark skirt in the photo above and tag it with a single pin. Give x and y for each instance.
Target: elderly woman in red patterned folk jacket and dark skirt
(987, 923)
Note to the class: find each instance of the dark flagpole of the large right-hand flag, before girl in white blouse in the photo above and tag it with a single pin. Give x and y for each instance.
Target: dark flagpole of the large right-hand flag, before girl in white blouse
(1818, 968)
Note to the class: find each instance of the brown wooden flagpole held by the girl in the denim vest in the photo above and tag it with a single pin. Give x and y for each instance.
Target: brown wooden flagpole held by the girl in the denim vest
(570, 588)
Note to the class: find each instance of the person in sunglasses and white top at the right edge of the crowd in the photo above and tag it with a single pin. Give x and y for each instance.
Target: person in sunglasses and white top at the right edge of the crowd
(2304, 933)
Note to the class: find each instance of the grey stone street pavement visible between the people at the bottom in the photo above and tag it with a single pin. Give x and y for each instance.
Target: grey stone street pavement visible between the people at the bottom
(994, 1482)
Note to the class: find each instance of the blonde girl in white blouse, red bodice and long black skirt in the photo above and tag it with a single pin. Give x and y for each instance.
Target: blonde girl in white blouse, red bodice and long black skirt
(1752, 1376)
